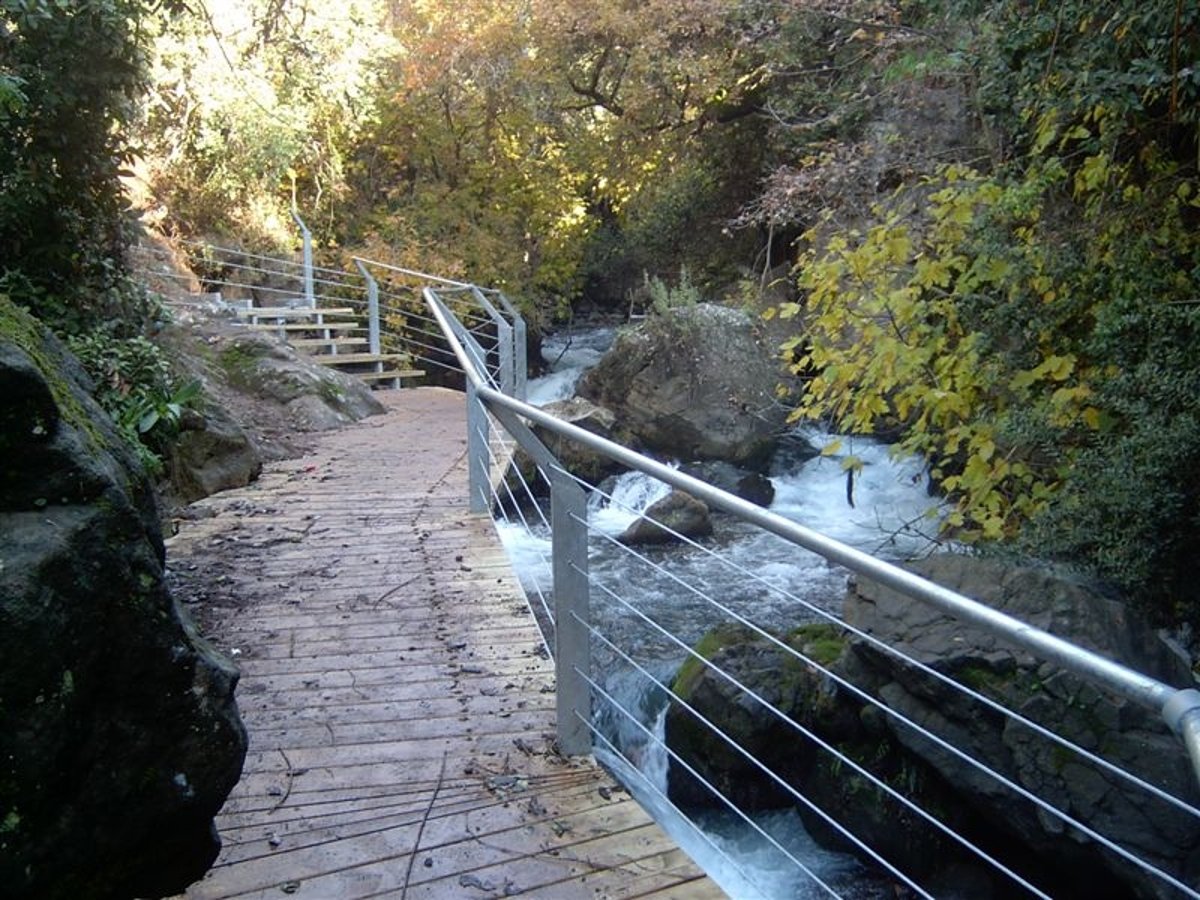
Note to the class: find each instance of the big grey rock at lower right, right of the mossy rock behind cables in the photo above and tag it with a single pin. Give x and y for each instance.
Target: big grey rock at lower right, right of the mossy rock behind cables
(1125, 734)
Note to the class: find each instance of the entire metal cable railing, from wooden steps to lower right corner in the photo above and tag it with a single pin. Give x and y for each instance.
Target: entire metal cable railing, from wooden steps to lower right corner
(478, 335)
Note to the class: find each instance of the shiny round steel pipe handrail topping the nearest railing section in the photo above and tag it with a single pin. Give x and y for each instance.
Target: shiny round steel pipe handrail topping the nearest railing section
(1179, 707)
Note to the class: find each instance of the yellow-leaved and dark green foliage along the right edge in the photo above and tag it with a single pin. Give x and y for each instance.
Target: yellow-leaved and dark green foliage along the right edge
(1034, 329)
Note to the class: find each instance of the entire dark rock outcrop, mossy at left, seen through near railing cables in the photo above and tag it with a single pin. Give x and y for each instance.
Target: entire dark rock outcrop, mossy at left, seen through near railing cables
(1021, 835)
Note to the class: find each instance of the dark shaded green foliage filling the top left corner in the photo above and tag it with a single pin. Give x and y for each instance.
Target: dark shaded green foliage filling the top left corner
(70, 80)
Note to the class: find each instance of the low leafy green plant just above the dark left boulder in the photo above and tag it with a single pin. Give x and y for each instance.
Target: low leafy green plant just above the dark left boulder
(137, 389)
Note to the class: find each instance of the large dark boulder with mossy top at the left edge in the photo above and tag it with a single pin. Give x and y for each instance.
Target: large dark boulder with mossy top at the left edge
(119, 736)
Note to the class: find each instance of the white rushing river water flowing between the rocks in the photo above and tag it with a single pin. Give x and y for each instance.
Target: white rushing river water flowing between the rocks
(683, 591)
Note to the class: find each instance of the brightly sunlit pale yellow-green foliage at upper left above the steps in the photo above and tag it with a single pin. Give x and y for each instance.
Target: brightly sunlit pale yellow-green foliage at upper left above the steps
(255, 103)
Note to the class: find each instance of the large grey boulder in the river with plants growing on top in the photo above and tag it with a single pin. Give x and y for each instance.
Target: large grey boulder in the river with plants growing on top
(693, 383)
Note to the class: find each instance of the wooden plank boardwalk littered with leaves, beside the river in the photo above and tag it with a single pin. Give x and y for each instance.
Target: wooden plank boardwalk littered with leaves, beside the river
(399, 705)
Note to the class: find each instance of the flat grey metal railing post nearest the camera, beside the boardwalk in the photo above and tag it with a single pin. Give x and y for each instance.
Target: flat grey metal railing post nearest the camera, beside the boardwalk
(573, 653)
